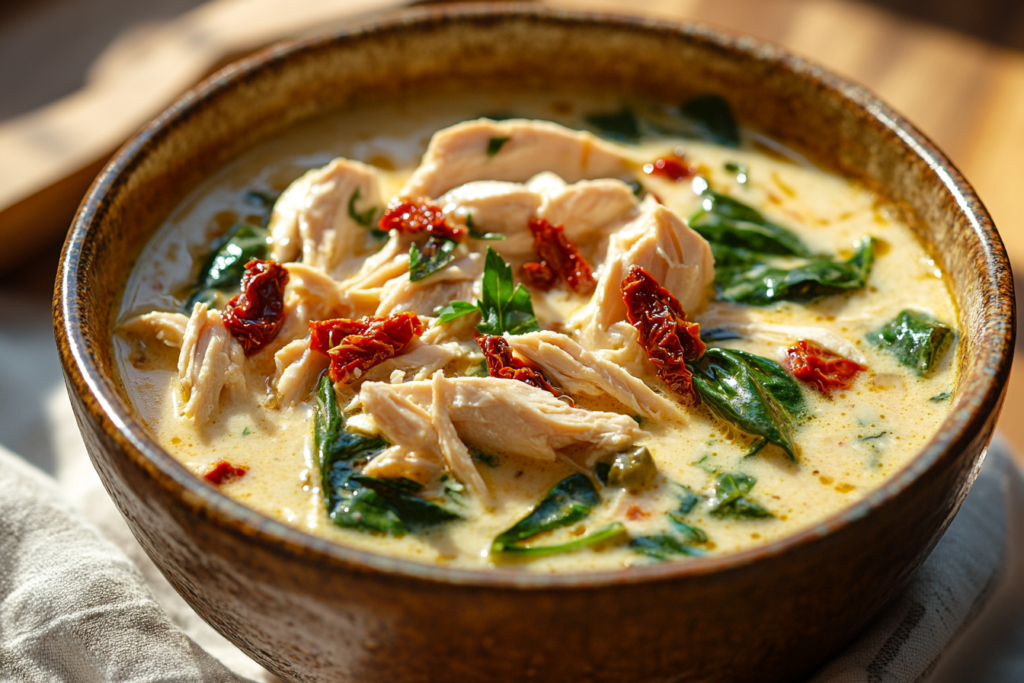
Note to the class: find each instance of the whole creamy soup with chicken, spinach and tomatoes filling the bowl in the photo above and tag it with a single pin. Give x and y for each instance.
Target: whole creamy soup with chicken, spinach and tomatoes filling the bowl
(559, 337)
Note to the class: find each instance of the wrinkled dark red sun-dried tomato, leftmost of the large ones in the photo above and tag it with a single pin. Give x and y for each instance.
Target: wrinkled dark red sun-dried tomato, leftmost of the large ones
(255, 316)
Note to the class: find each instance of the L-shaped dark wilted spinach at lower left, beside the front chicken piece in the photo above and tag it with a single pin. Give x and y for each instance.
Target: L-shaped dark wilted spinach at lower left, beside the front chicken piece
(358, 501)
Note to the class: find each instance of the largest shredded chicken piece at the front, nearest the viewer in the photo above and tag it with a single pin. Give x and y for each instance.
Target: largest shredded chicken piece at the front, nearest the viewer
(507, 417)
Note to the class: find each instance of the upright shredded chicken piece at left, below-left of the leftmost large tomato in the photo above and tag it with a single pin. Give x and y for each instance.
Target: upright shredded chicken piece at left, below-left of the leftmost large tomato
(210, 363)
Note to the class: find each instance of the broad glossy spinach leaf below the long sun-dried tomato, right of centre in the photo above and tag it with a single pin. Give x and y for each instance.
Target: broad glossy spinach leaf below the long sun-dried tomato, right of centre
(752, 393)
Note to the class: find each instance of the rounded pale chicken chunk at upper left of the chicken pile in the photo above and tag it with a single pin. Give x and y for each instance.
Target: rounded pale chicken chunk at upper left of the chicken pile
(316, 218)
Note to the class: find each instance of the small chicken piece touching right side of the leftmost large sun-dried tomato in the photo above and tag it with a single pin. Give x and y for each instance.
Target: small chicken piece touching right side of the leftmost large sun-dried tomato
(312, 295)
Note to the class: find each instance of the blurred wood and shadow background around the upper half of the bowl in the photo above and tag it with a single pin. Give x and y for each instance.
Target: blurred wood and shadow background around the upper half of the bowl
(79, 76)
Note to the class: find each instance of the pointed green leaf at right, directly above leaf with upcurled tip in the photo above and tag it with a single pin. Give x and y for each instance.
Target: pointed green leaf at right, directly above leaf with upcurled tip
(730, 223)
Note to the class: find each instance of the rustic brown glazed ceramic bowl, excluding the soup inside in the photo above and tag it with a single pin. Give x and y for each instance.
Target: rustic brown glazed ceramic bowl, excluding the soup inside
(311, 611)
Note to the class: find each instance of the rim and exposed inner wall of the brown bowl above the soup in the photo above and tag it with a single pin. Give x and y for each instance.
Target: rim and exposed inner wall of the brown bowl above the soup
(835, 122)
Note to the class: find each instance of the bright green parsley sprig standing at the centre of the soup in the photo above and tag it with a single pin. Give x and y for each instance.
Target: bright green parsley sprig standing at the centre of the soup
(504, 307)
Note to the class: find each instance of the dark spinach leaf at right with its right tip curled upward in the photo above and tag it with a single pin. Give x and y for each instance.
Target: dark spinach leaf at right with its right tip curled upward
(762, 284)
